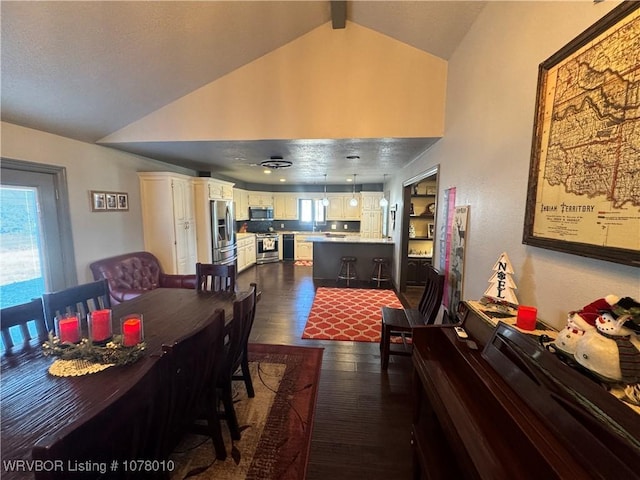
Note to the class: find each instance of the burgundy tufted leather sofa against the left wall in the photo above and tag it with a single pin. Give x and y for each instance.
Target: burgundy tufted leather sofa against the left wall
(131, 274)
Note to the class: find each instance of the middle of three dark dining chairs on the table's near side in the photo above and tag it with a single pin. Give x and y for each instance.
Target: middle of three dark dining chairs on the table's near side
(195, 362)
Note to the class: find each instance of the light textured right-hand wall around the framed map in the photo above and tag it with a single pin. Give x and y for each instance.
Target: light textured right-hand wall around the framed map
(486, 148)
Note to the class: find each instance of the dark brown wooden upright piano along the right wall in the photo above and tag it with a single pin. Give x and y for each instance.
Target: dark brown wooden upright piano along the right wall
(503, 407)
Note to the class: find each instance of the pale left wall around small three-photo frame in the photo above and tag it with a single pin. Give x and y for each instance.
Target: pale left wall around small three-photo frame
(89, 167)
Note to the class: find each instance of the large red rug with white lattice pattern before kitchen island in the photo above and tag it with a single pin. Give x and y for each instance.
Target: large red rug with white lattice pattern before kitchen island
(348, 314)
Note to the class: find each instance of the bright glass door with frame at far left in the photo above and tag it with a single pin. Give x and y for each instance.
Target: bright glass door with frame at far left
(36, 248)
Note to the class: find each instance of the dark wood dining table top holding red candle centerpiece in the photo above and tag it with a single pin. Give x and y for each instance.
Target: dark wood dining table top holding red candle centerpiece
(35, 403)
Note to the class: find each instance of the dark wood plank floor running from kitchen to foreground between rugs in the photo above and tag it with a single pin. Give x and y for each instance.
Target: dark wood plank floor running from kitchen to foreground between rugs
(363, 414)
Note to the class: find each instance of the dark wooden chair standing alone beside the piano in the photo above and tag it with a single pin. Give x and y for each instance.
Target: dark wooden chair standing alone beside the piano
(401, 322)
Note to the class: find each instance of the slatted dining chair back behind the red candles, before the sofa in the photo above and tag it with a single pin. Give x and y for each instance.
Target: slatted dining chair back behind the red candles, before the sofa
(82, 299)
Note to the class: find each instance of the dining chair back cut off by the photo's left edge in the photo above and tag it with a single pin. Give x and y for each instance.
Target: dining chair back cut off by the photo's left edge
(22, 320)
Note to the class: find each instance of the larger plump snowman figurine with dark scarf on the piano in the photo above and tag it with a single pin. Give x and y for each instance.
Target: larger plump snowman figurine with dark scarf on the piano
(612, 351)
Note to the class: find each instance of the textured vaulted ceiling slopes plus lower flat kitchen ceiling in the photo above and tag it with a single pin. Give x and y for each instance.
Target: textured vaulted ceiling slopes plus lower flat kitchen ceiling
(85, 70)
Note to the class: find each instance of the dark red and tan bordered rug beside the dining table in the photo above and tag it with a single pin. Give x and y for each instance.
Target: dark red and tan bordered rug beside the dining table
(276, 424)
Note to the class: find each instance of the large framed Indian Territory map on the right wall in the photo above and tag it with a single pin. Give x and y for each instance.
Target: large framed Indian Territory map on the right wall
(584, 179)
